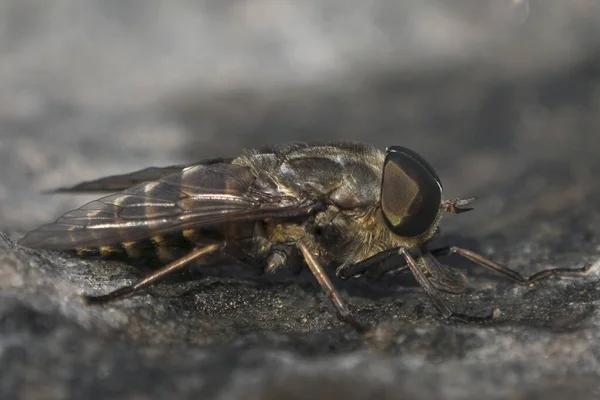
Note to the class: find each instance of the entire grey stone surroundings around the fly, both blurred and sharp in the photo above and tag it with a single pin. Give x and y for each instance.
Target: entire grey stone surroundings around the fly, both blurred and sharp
(502, 99)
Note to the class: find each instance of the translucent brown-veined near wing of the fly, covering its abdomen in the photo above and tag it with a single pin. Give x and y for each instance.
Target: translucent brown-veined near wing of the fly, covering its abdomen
(199, 195)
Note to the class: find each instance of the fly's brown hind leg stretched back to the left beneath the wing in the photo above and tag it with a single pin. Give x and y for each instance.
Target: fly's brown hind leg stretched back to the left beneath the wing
(156, 276)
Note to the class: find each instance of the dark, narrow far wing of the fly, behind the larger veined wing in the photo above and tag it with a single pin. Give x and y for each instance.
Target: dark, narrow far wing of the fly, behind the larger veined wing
(116, 183)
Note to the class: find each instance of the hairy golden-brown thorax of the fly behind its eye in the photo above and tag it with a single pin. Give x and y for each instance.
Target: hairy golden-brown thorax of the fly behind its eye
(346, 179)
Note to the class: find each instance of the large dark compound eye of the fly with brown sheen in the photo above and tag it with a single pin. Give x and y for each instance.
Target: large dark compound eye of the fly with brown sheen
(411, 192)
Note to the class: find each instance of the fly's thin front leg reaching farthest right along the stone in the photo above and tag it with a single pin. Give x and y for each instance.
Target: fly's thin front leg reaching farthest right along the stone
(501, 269)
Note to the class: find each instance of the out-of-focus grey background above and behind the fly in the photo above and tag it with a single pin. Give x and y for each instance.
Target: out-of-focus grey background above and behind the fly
(500, 95)
